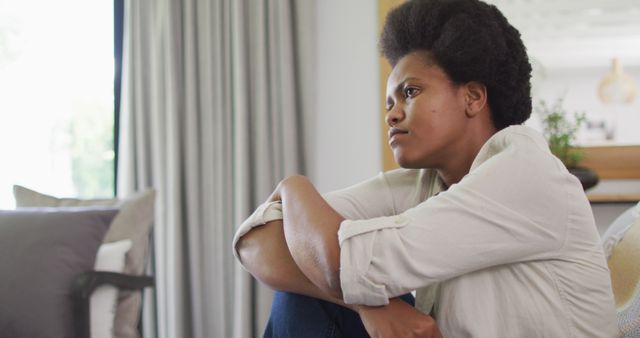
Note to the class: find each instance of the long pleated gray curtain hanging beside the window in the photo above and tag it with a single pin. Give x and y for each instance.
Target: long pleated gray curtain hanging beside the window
(210, 117)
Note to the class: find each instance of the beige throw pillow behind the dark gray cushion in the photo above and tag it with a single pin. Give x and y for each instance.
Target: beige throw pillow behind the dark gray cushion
(133, 222)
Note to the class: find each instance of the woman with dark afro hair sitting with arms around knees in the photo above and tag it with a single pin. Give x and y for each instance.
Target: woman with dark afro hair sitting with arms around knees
(495, 235)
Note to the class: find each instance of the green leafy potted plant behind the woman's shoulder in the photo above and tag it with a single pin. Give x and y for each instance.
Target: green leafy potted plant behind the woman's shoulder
(560, 131)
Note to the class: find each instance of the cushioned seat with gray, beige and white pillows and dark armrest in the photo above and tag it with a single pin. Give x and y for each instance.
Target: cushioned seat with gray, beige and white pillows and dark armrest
(72, 267)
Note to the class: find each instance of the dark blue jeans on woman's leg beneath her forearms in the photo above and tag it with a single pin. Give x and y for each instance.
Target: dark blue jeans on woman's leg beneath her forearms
(297, 316)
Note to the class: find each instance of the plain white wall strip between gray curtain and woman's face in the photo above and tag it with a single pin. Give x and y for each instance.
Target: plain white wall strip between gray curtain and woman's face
(344, 128)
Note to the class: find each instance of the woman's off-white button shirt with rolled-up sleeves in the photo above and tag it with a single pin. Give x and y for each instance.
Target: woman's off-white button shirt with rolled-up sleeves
(513, 246)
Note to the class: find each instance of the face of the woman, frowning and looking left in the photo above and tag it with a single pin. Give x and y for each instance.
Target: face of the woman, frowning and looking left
(425, 113)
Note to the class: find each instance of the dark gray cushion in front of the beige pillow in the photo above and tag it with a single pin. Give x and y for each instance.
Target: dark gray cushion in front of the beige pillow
(42, 251)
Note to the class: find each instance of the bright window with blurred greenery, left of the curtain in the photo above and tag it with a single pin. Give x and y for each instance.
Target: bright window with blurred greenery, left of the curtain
(56, 97)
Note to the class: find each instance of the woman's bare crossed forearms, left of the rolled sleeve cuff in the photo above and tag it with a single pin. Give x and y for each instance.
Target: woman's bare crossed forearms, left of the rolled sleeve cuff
(302, 253)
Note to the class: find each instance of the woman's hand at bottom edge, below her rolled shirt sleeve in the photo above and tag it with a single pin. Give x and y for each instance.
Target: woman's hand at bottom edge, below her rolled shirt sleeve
(397, 319)
